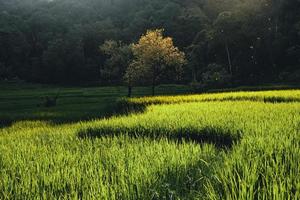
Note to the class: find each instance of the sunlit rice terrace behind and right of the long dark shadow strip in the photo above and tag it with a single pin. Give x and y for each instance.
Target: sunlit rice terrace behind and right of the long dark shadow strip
(264, 164)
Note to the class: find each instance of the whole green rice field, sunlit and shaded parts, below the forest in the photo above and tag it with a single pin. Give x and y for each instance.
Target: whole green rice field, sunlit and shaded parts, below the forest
(242, 145)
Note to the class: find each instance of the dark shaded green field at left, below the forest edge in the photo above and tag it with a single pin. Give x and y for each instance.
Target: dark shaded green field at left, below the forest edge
(25, 101)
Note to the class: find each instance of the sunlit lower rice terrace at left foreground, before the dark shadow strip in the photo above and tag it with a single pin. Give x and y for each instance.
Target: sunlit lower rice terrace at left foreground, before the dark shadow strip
(52, 162)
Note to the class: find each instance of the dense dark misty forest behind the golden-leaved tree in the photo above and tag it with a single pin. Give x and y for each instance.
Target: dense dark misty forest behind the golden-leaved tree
(225, 42)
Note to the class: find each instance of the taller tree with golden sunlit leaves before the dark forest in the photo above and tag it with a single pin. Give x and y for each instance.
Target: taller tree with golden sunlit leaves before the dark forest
(154, 55)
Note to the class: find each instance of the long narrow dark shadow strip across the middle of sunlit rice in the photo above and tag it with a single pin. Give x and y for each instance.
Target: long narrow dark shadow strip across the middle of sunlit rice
(213, 135)
